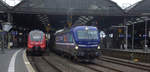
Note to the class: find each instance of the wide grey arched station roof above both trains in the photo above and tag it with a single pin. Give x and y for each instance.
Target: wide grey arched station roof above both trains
(74, 7)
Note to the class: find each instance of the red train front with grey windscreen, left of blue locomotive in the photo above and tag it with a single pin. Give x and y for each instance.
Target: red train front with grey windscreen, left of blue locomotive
(36, 42)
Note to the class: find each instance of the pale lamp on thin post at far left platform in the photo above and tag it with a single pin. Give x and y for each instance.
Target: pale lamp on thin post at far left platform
(6, 26)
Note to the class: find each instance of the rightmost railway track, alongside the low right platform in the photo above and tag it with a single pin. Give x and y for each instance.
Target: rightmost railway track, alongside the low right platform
(125, 63)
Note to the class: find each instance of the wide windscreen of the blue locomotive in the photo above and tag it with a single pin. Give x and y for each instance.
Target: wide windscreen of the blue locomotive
(87, 34)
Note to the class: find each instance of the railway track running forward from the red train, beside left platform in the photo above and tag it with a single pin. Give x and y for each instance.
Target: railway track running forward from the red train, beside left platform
(58, 64)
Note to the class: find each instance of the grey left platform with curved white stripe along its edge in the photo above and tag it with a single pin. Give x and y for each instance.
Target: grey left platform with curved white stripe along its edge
(12, 60)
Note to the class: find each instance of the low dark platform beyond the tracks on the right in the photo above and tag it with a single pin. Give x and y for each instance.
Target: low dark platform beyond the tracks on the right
(142, 55)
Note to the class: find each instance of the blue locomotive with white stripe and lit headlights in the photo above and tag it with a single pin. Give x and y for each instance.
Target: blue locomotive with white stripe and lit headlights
(82, 42)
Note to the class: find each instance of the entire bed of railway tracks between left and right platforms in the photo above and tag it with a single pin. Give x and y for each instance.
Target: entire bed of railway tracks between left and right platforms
(56, 63)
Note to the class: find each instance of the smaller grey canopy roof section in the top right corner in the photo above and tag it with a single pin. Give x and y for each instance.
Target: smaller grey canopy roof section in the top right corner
(141, 8)
